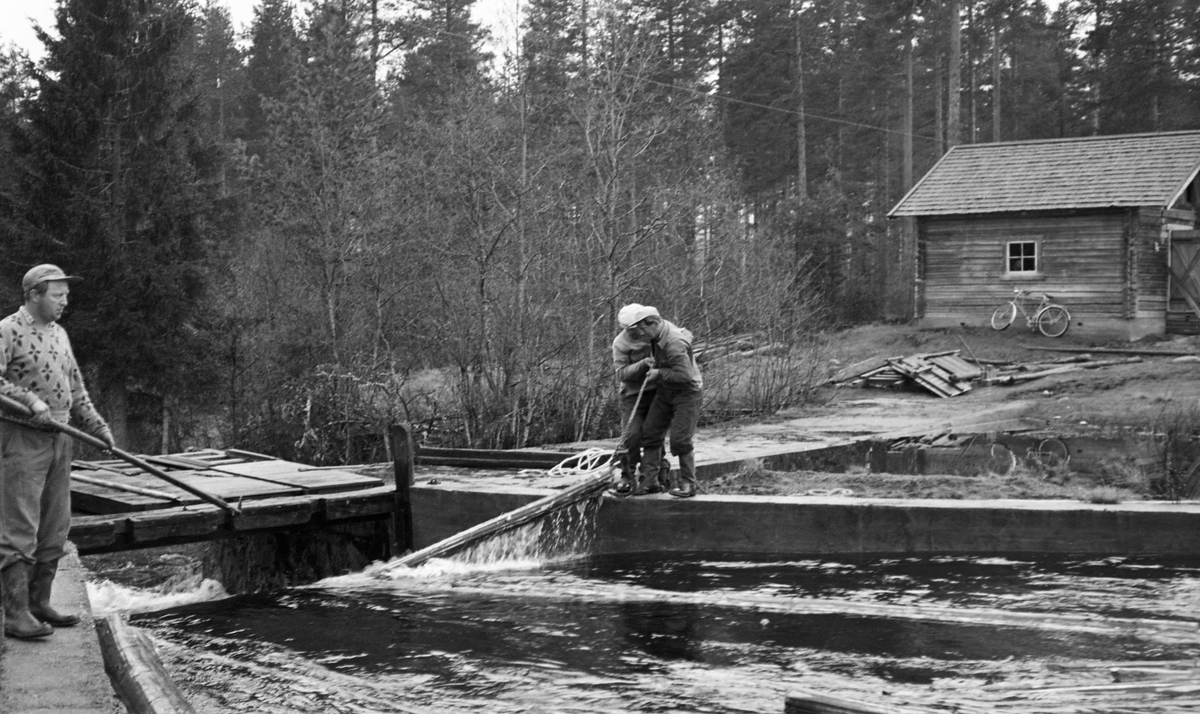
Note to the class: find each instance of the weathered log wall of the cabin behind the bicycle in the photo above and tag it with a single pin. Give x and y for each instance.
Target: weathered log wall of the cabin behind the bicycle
(1108, 267)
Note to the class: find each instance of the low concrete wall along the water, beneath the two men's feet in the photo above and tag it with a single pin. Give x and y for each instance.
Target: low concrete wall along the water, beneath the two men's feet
(844, 526)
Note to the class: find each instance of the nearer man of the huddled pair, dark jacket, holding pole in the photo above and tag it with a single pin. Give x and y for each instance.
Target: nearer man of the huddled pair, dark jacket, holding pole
(679, 391)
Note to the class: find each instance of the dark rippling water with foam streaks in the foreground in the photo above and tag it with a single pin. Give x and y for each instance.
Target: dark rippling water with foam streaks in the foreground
(703, 634)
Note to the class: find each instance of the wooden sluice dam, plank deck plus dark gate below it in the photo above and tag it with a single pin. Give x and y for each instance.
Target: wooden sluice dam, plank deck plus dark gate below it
(292, 524)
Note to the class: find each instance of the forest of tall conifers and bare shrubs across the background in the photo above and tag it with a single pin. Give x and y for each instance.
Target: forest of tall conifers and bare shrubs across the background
(357, 213)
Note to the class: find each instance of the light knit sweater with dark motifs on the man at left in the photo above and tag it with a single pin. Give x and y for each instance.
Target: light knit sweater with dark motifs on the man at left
(37, 363)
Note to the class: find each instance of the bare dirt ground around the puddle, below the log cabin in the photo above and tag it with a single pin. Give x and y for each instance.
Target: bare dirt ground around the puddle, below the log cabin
(1156, 401)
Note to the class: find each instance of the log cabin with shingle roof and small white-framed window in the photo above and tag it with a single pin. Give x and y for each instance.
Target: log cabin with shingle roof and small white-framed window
(1105, 225)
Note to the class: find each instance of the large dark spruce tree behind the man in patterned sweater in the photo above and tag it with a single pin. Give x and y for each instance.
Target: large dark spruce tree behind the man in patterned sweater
(112, 185)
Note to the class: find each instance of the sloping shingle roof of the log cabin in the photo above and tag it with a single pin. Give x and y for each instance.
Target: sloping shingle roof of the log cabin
(1088, 173)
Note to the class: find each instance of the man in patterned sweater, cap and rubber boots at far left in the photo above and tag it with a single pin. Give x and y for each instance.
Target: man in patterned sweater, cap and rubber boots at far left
(39, 370)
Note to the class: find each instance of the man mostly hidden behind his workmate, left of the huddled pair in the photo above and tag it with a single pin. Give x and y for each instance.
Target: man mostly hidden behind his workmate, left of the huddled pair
(632, 361)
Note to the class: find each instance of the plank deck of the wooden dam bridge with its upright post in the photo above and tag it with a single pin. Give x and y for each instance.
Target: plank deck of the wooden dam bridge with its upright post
(119, 507)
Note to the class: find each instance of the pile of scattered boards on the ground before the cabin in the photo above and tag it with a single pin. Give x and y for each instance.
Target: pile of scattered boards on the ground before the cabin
(950, 374)
